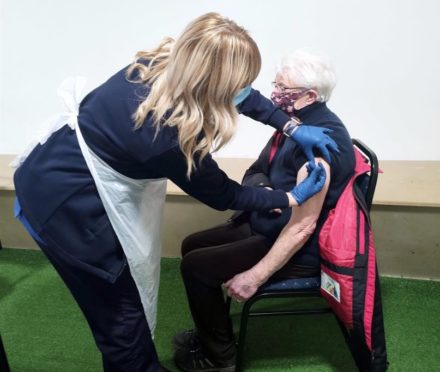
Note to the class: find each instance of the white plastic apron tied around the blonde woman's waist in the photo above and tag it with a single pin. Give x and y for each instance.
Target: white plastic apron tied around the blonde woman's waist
(134, 207)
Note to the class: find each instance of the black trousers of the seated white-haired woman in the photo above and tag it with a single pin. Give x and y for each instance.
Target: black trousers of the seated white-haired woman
(210, 258)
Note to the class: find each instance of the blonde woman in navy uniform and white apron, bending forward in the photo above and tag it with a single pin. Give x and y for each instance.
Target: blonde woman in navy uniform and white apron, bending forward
(91, 194)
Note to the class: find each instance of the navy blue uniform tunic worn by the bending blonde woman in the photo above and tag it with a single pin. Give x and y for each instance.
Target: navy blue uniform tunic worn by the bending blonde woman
(58, 196)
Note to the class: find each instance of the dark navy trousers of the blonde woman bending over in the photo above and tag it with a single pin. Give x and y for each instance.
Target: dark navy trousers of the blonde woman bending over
(116, 318)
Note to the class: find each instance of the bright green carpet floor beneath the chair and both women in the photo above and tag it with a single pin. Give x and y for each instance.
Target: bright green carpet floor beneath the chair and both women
(44, 331)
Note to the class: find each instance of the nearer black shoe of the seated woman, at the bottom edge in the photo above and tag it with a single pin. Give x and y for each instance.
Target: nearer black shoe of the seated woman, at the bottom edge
(197, 361)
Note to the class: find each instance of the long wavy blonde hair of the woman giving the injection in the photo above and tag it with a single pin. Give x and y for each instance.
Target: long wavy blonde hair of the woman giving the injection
(193, 82)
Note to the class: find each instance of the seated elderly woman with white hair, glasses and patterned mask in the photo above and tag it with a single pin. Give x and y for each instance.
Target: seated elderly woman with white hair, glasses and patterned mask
(255, 246)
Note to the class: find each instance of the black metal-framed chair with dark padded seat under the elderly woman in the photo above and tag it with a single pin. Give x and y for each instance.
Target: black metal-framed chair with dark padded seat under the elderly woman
(301, 287)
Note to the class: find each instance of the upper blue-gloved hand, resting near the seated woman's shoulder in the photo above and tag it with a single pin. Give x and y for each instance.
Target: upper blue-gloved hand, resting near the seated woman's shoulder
(308, 136)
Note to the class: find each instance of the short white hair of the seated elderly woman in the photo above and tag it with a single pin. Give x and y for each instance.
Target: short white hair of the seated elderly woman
(309, 71)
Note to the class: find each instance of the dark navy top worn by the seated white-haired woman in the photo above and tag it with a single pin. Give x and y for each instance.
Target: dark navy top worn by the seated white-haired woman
(281, 173)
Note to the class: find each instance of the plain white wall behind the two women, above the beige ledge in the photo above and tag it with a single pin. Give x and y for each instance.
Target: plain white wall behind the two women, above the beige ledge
(386, 53)
